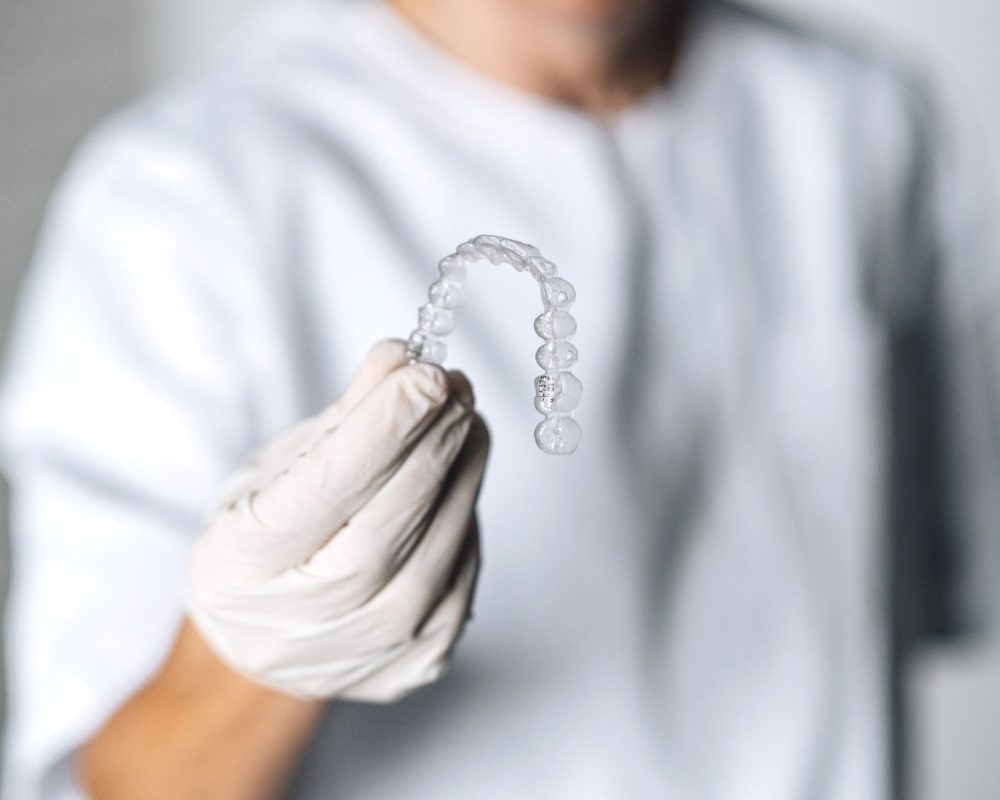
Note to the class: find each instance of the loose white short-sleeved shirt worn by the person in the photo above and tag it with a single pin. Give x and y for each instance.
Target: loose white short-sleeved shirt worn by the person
(777, 266)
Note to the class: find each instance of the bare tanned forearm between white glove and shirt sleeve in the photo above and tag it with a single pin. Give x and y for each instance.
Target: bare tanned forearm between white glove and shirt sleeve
(198, 730)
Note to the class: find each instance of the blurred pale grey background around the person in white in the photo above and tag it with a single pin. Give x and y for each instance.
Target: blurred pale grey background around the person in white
(63, 66)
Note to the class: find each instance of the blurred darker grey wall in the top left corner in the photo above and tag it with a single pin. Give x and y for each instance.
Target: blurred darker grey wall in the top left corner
(62, 67)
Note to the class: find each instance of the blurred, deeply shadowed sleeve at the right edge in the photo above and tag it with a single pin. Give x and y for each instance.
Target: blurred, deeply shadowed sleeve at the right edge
(945, 354)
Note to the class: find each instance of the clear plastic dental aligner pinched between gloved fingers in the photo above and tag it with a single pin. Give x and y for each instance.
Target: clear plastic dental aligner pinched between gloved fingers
(557, 390)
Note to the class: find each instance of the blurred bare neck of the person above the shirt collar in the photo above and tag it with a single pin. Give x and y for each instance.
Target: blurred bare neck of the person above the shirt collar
(600, 65)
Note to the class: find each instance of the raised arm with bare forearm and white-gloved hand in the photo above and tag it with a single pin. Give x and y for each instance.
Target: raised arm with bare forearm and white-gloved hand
(340, 564)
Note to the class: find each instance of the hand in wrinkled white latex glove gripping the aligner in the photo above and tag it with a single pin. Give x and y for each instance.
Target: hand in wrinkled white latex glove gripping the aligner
(342, 559)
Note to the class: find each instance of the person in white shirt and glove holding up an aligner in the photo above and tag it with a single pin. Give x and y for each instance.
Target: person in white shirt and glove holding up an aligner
(241, 545)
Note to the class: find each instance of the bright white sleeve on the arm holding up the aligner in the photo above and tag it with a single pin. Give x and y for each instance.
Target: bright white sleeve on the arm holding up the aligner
(123, 405)
